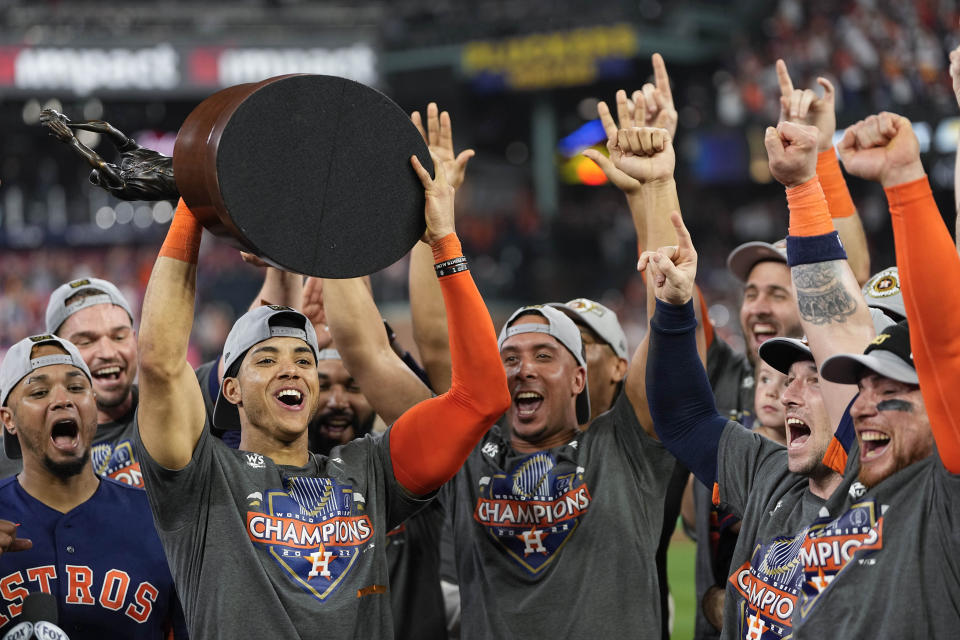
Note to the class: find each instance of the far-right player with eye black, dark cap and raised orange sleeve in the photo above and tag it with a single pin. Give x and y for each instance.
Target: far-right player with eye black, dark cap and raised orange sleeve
(894, 533)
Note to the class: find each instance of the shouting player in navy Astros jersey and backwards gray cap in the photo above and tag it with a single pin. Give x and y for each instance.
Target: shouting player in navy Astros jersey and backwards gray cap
(88, 540)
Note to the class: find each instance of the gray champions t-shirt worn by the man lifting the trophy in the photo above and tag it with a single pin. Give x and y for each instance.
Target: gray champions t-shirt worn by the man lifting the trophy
(259, 550)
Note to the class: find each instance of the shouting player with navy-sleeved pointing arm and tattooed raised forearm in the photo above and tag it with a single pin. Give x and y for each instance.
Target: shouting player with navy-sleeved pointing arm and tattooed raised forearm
(774, 491)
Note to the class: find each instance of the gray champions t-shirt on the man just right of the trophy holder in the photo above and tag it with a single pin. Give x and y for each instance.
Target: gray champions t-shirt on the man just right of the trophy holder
(562, 542)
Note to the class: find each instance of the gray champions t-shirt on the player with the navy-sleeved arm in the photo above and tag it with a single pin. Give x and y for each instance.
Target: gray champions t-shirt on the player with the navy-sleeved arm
(775, 507)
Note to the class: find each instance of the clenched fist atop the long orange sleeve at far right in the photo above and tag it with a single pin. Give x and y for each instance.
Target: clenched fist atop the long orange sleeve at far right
(882, 148)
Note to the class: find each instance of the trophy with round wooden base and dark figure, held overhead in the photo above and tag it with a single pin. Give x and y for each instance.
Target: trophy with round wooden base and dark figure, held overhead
(311, 173)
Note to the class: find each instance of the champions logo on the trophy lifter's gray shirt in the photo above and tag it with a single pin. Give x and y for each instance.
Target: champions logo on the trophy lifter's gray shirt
(309, 529)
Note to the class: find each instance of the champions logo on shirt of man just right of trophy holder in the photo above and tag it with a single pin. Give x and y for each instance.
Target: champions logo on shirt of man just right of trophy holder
(532, 511)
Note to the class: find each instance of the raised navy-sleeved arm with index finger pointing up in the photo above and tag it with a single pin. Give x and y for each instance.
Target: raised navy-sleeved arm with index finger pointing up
(681, 401)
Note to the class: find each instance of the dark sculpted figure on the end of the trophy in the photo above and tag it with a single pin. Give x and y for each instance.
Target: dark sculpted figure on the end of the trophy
(142, 174)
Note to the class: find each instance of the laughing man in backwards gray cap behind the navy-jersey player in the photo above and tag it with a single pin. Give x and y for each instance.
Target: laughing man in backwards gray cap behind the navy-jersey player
(96, 317)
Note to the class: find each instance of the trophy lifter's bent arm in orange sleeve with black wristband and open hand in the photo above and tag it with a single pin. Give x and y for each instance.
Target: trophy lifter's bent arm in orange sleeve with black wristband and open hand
(431, 441)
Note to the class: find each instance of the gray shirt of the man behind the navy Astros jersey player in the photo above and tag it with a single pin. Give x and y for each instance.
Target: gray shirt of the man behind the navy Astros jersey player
(112, 451)
